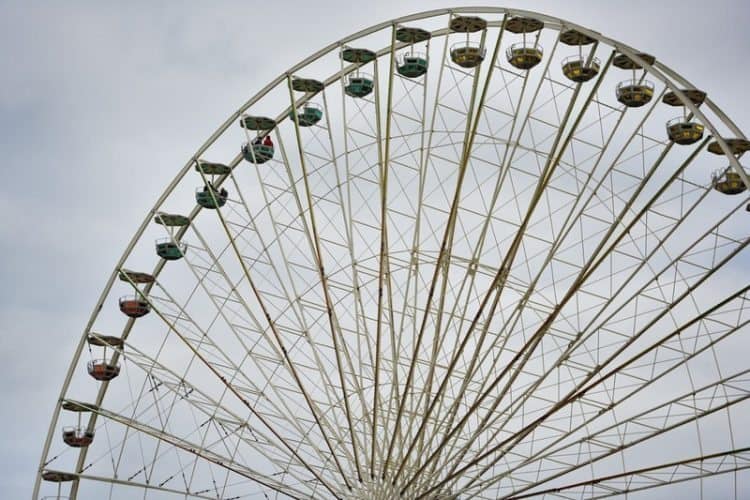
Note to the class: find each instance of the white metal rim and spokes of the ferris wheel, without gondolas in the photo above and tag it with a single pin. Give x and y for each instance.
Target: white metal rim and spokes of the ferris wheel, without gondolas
(383, 448)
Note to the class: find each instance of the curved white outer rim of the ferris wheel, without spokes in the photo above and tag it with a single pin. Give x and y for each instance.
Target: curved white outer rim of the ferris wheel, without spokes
(663, 73)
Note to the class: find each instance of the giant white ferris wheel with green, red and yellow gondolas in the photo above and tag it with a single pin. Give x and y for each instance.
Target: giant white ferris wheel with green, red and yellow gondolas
(468, 253)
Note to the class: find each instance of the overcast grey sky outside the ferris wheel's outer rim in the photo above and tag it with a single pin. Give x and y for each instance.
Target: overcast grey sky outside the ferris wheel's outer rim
(102, 103)
